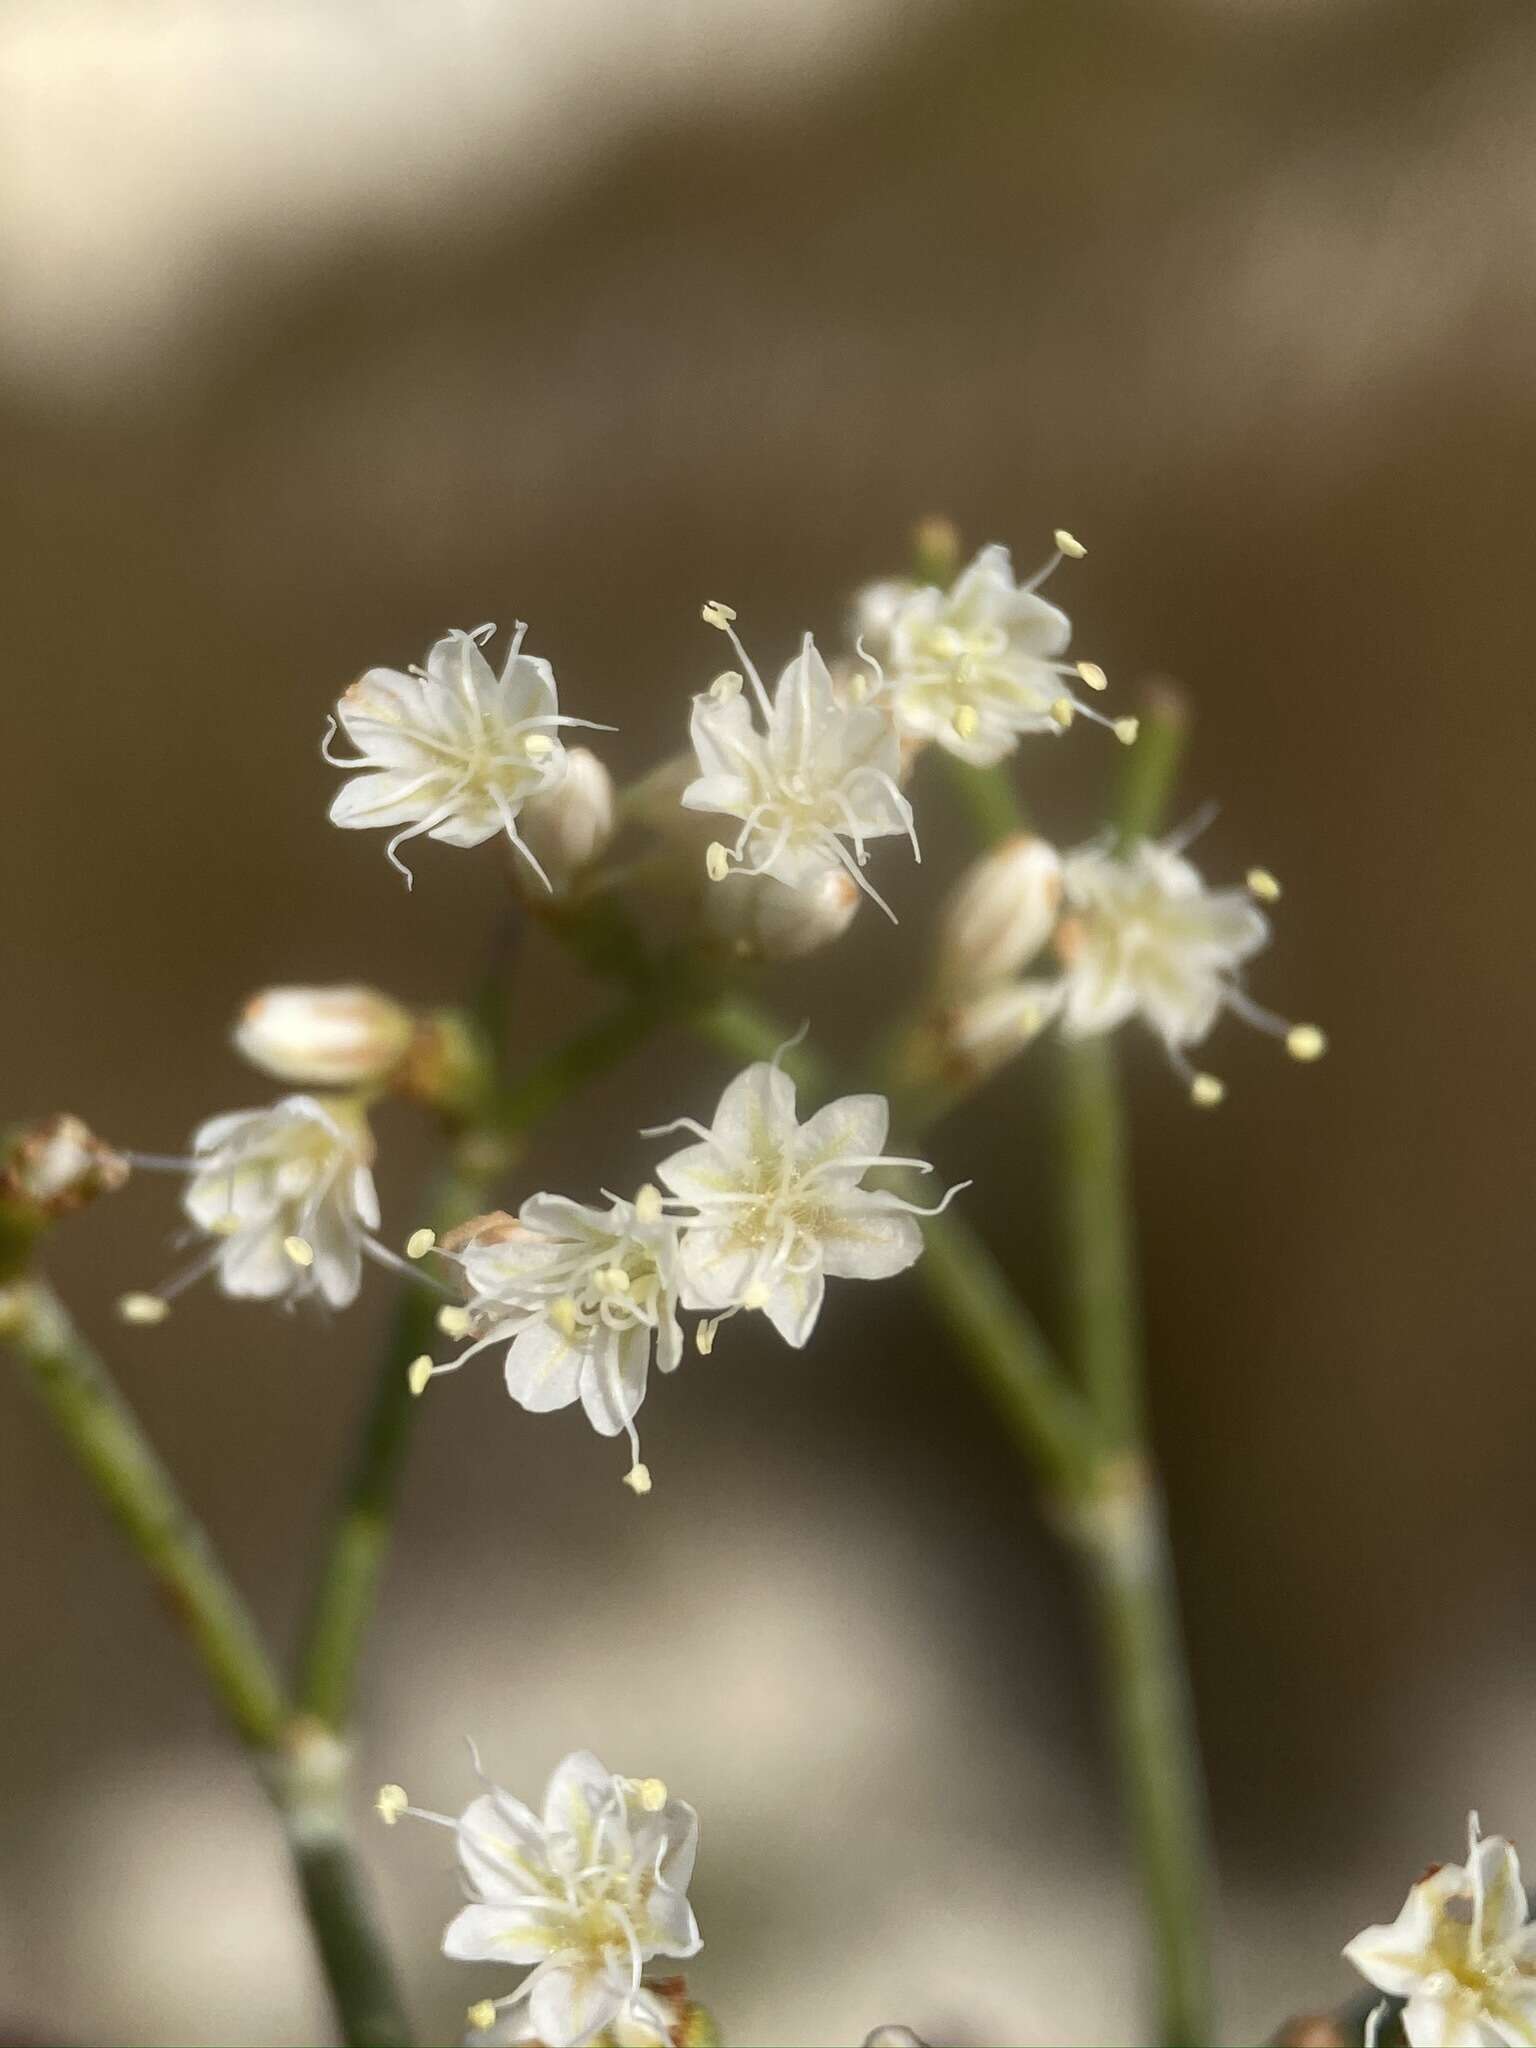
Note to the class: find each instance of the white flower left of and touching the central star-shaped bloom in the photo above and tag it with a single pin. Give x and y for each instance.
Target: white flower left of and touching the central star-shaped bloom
(581, 1297)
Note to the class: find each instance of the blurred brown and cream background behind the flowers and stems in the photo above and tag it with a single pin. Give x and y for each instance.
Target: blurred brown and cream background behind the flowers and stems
(333, 325)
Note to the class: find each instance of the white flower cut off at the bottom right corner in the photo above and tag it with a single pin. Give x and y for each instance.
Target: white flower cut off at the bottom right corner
(1461, 1953)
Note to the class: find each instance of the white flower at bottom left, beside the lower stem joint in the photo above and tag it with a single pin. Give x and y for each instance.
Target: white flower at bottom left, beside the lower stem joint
(587, 1893)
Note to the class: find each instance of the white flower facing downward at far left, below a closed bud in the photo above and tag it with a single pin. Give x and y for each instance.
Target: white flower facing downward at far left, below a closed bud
(288, 1199)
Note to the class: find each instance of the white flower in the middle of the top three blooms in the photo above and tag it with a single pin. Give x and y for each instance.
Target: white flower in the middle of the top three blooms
(814, 783)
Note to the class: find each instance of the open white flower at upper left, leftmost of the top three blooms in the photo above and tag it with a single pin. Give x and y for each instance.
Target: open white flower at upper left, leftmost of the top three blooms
(452, 751)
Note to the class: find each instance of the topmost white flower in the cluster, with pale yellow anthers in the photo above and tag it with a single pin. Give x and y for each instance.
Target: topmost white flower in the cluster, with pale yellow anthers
(980, 665)
